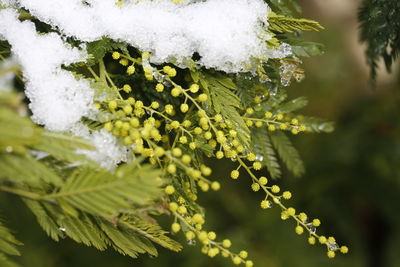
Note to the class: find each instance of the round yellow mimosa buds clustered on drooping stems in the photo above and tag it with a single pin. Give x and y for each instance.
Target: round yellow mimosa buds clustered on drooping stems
(169, 134)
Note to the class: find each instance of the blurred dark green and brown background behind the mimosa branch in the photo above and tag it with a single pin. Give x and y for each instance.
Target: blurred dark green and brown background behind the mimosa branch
(352, 181)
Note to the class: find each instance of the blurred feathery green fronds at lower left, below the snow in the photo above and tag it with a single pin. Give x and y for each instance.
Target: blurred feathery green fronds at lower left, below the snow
(79, 202)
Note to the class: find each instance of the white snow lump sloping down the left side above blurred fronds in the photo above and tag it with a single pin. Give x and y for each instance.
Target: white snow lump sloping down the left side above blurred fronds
(58, 99)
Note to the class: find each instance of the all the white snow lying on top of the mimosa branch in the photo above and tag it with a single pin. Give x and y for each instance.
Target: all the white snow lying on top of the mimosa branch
(228, 35)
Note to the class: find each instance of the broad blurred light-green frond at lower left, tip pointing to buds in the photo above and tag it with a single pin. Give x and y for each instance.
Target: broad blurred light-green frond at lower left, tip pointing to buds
(102, 193)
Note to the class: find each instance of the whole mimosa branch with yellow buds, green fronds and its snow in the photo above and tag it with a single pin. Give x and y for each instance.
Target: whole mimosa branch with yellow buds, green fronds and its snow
(156, 87)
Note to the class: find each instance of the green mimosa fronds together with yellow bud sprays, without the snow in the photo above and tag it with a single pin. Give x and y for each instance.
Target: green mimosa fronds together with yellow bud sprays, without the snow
(168, 119)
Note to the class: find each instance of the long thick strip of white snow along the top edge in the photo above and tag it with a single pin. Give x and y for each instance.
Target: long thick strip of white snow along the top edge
(227, 34)
